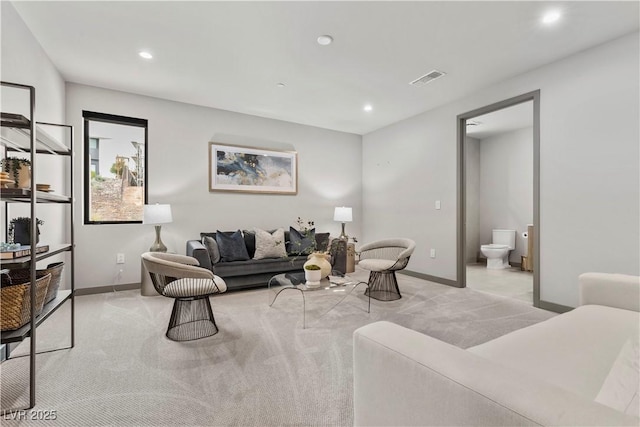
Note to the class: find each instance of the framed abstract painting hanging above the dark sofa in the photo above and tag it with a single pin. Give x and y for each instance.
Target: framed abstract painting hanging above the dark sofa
(245, 169)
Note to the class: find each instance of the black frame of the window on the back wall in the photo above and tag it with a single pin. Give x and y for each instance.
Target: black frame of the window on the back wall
(92, 116)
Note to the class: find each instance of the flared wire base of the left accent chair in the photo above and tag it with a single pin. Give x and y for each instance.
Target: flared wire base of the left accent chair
(191, 319)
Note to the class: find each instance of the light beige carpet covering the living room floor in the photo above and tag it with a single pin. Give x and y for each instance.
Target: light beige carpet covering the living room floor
(261, 369)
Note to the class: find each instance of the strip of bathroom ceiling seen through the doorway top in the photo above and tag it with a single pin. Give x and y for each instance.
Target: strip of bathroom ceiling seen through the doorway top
(508, 119)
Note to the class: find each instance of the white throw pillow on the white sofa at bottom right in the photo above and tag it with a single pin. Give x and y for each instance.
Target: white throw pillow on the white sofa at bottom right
(622, 385)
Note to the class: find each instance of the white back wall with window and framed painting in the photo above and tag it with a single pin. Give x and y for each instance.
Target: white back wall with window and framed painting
(328, 163)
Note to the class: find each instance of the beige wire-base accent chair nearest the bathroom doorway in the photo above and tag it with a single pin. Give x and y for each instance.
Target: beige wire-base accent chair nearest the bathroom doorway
(383, 258)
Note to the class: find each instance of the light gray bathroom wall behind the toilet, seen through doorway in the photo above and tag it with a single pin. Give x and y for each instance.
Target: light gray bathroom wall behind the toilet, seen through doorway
(506, 186)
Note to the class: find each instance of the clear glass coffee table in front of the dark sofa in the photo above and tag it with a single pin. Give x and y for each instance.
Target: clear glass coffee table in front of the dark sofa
(332, 291)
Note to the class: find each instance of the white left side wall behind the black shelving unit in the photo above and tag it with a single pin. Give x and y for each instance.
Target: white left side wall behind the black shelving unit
(25, 62)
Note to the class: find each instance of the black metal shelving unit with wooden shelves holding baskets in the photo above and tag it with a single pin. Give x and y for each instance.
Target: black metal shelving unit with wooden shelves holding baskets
(23, 134)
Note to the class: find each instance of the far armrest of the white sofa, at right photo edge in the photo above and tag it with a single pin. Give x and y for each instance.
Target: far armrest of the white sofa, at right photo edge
(613, 290)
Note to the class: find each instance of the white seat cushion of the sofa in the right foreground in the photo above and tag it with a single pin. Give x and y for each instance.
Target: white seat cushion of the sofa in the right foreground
(574, 351)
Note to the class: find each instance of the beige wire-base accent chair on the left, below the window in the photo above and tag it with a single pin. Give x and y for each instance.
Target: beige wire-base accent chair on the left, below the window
(179, 277)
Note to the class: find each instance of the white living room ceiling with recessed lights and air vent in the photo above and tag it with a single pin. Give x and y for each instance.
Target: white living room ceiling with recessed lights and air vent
(231, 55)
